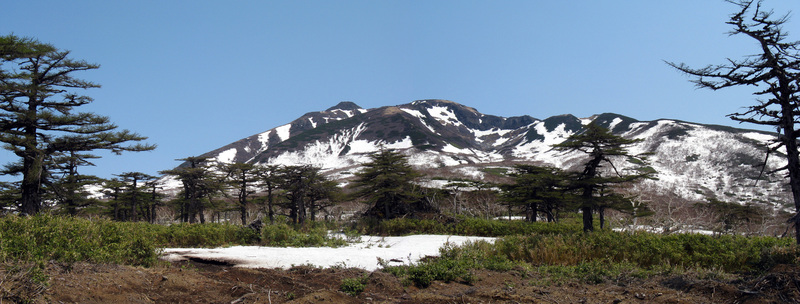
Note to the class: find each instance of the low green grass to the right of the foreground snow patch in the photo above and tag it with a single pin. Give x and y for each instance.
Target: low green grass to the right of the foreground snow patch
(560, 254)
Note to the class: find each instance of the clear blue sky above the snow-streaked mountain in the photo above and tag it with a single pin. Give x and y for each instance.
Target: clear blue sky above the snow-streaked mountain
(196, 75)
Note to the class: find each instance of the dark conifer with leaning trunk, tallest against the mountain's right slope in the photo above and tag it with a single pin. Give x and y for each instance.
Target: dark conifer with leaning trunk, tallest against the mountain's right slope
(601, 145)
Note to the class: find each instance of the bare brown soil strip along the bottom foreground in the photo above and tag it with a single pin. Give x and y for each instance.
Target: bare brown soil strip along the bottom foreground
(194, 282)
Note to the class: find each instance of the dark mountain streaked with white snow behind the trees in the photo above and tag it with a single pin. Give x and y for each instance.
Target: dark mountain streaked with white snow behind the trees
(694, 161)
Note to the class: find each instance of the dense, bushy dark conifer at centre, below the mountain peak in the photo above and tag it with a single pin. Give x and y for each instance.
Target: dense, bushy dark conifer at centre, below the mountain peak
(386, 184)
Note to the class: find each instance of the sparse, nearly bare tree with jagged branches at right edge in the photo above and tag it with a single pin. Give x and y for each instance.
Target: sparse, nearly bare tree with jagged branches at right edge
(775, 70)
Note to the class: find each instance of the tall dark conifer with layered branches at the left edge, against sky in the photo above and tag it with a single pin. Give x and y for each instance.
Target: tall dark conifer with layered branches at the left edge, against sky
(37, 117)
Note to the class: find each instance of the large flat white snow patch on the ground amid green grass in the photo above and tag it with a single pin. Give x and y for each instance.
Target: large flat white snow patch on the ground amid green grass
(364, 254)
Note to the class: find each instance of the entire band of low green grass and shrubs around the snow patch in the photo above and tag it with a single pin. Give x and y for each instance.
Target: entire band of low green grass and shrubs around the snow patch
(558, 252)
